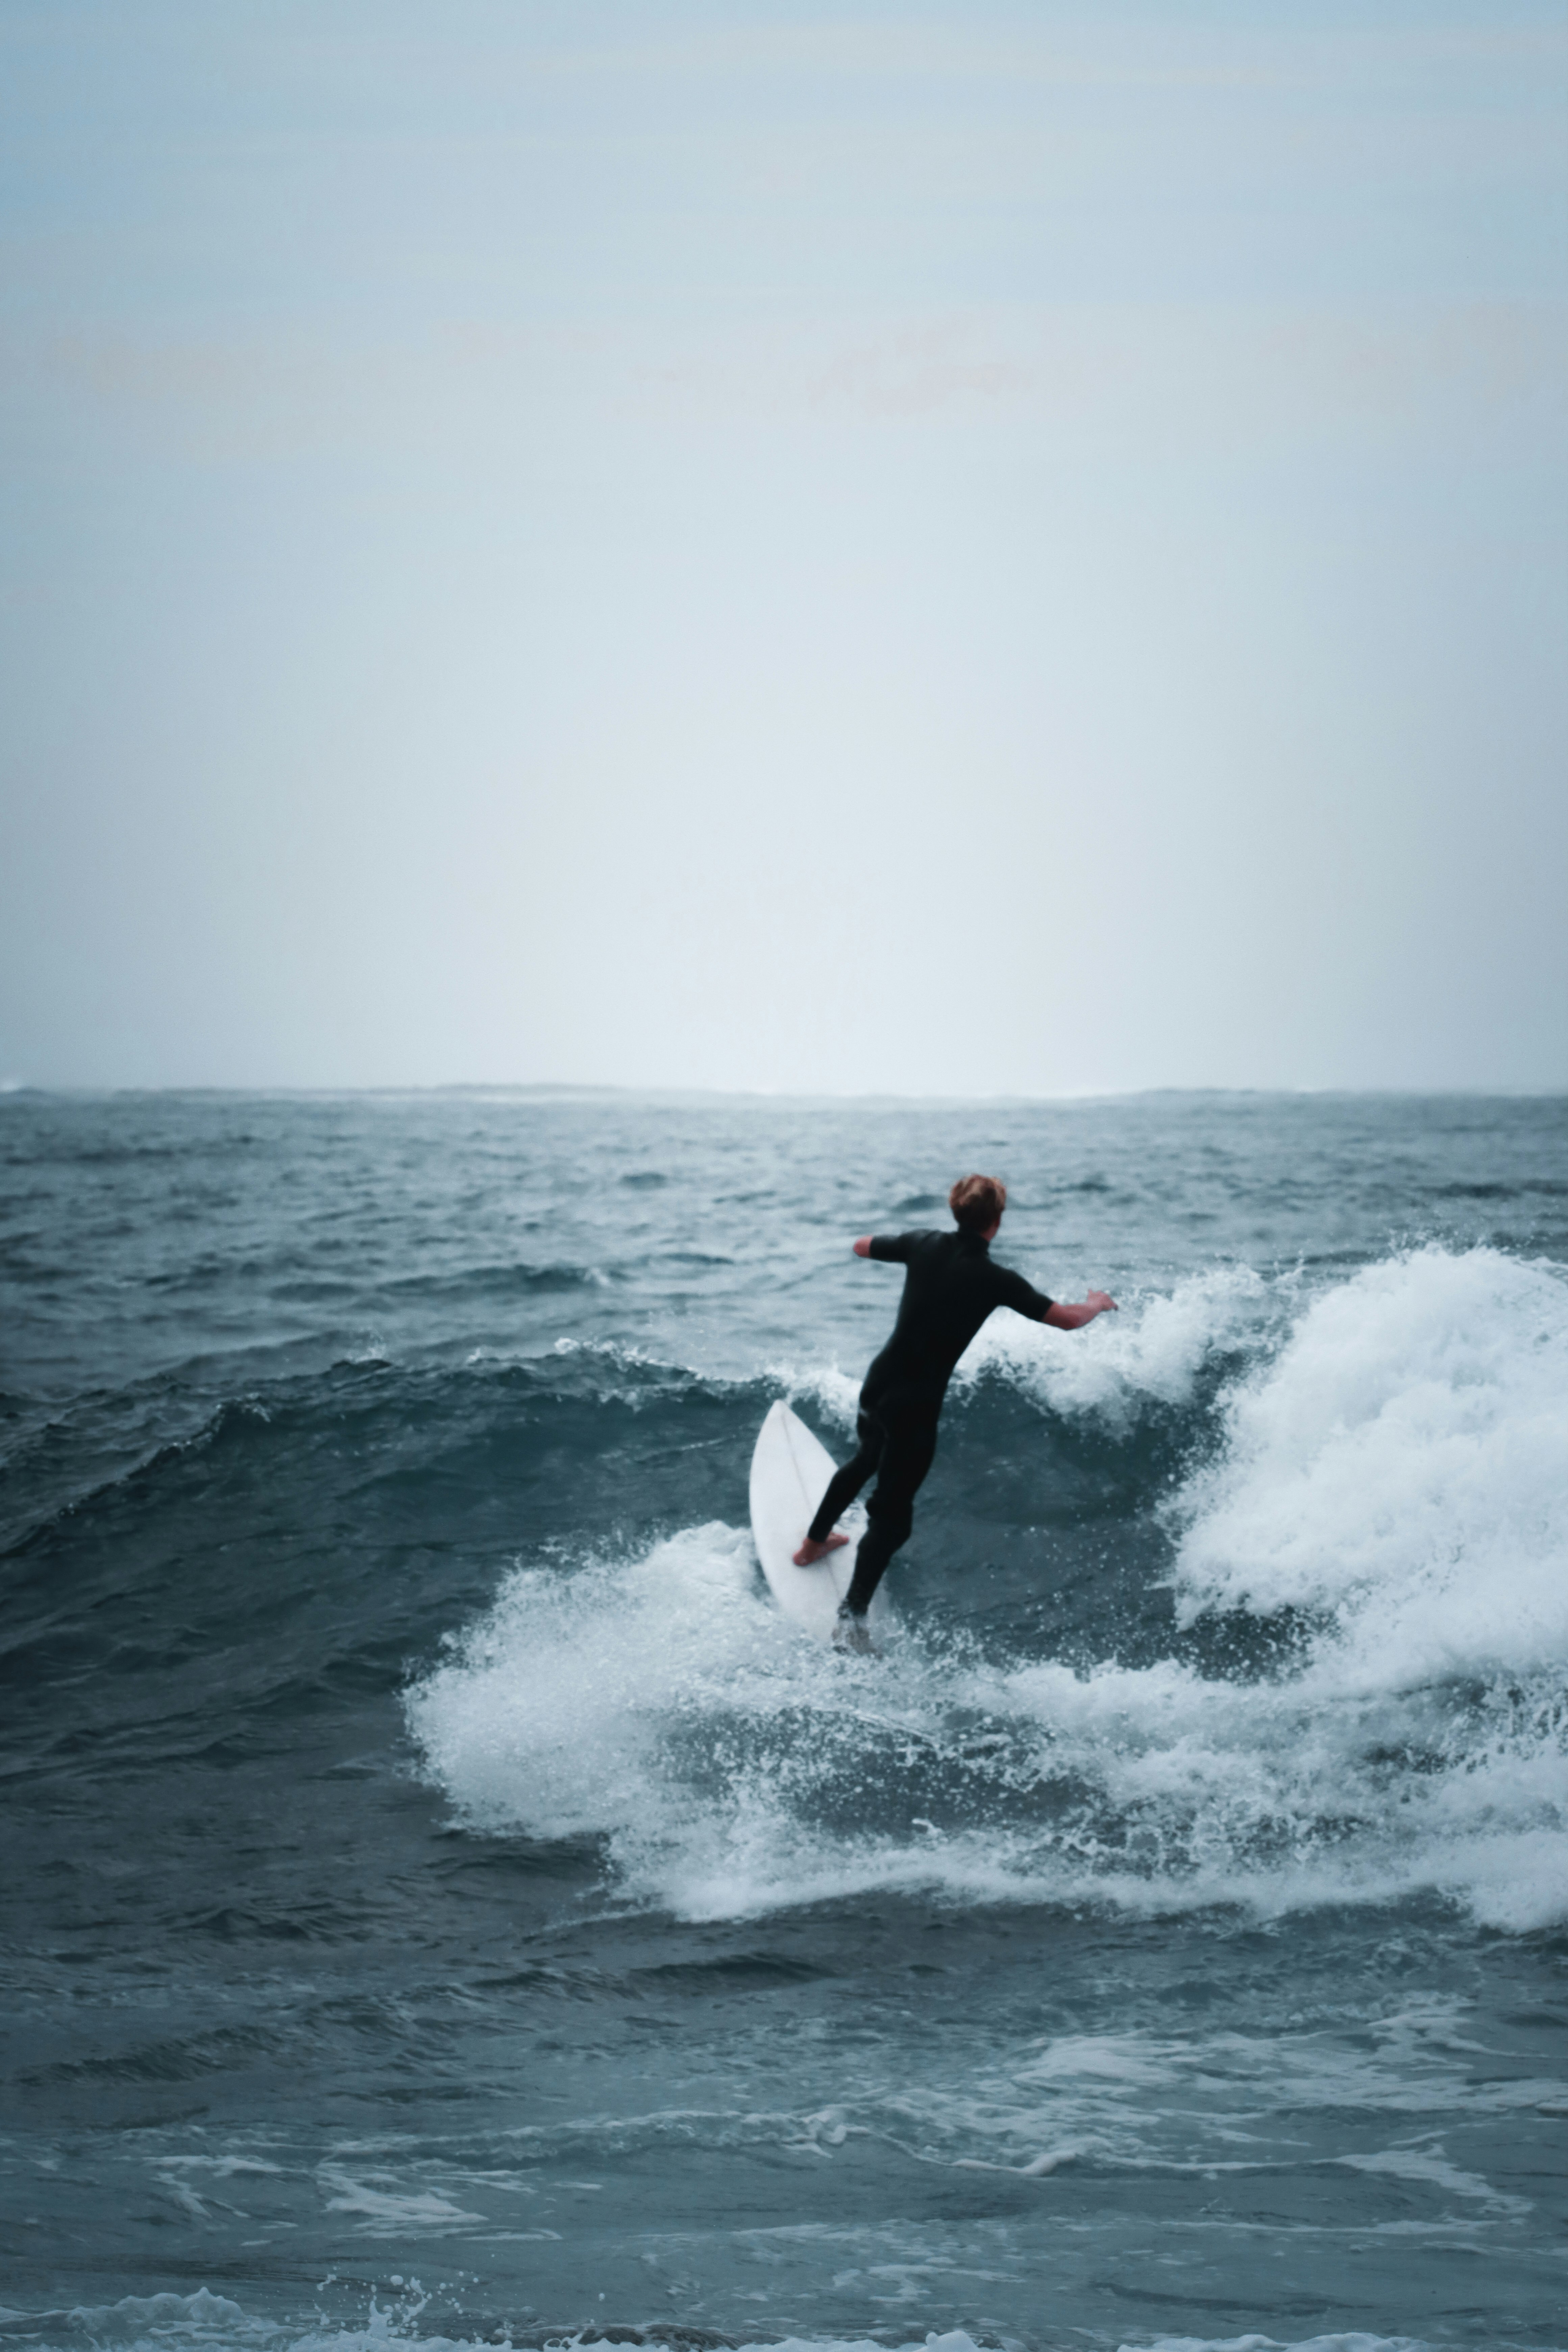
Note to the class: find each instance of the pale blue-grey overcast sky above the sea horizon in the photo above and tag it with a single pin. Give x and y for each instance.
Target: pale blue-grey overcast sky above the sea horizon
(892, 549)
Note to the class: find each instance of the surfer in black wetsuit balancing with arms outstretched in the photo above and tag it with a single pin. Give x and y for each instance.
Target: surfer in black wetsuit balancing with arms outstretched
(949, 1290)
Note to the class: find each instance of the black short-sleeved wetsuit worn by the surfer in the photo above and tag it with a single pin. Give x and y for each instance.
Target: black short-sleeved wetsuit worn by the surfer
(949, 1292)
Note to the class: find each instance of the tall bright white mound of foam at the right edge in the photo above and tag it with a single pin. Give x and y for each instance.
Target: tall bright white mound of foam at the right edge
(1402, 1471)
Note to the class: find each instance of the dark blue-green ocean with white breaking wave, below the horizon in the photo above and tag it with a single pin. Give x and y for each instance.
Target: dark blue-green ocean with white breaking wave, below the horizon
(443, 1902)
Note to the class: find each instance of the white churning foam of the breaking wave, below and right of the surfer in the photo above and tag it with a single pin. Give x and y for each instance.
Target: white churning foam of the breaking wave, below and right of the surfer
(1393, 1474)
